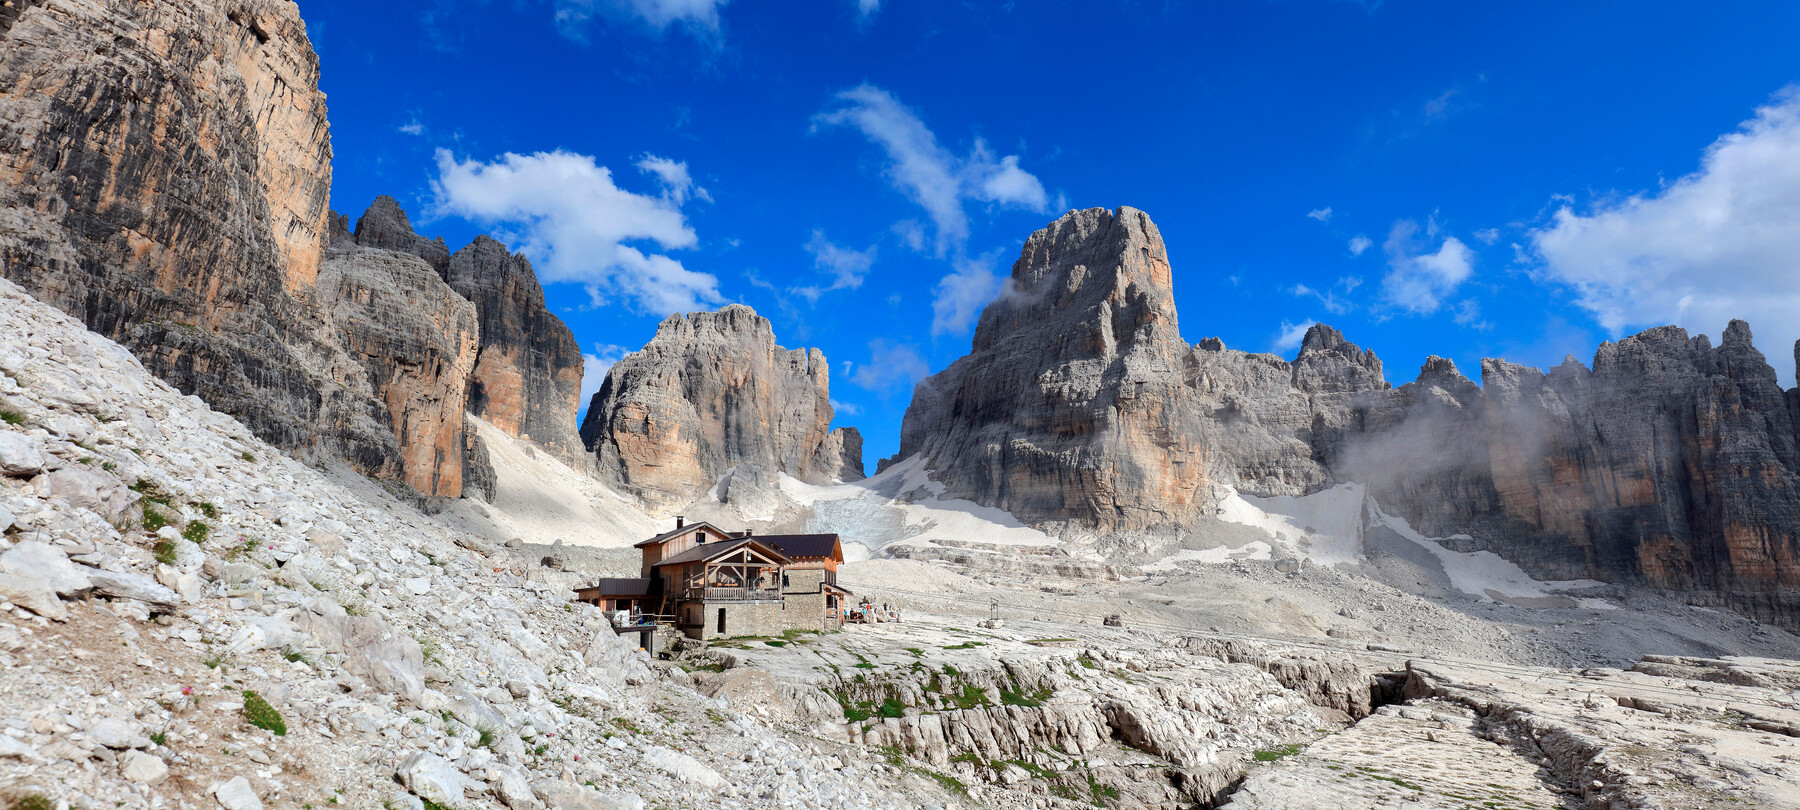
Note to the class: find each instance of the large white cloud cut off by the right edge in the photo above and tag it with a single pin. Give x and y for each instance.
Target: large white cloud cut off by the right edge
(1716, 246)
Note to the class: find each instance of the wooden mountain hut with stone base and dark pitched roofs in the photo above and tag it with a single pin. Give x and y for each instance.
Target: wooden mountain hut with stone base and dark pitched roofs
(717, 584)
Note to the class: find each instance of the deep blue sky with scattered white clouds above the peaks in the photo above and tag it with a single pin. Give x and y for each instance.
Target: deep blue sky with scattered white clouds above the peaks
(1468, 181)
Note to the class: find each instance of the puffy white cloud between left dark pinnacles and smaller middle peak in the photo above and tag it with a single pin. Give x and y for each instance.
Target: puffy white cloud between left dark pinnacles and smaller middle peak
(564, 211)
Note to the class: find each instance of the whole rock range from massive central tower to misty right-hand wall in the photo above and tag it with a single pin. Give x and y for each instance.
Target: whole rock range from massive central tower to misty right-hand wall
(1673, 463)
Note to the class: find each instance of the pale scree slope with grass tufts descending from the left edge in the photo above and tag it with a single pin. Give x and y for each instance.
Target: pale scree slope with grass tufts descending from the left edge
(190, 618)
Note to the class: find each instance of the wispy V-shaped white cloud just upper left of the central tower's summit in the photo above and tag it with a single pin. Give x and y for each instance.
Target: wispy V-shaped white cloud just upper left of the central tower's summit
(926, 172)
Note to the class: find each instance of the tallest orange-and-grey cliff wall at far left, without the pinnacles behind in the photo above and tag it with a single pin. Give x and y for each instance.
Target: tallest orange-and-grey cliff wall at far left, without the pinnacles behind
(163, 177)
